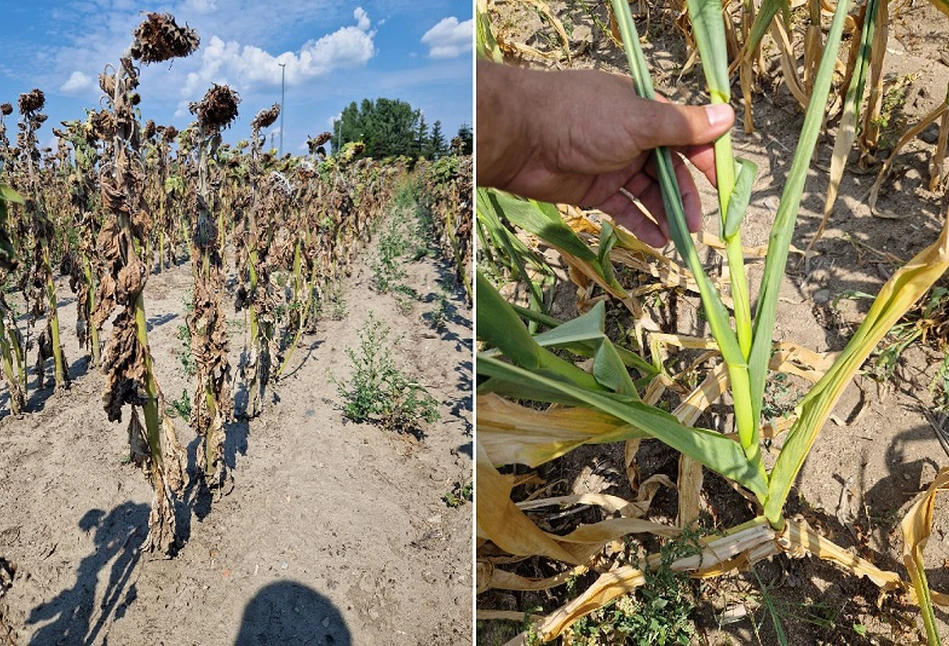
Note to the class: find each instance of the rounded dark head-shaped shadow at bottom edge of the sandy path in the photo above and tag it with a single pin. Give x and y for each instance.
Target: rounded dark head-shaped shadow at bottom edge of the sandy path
(287, 612)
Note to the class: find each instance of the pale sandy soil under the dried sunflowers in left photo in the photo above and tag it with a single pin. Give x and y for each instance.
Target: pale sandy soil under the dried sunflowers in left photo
(334, 532)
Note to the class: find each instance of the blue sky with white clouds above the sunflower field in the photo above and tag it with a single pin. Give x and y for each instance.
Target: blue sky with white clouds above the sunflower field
(335, 53)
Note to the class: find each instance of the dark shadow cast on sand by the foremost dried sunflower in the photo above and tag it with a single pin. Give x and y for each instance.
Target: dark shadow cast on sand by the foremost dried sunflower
(77, 617)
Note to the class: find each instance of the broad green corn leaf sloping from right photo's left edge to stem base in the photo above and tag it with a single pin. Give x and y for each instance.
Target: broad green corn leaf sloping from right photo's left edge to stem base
(712, 449)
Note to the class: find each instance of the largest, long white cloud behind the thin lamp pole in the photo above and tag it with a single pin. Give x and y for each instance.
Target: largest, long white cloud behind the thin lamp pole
(248, 67)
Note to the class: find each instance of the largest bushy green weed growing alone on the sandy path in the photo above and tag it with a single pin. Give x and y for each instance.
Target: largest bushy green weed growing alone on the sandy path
(378, 390)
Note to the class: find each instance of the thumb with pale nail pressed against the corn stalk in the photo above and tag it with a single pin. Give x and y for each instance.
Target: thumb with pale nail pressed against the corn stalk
(666, 124)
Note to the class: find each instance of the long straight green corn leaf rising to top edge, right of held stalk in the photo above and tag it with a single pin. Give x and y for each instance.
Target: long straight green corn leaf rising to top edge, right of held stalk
(783, 227)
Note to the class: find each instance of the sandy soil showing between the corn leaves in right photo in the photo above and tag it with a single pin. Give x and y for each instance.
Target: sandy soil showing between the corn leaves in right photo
(865, 470)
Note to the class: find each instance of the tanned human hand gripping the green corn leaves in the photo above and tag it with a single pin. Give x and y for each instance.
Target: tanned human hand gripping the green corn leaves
(580, 137)
